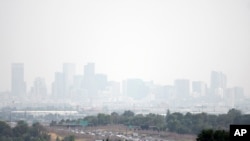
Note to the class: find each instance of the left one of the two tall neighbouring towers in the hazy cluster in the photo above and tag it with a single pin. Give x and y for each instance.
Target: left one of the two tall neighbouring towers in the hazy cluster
(68, 77)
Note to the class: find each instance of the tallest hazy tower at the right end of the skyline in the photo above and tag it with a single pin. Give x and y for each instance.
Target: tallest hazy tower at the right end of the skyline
(218, 83)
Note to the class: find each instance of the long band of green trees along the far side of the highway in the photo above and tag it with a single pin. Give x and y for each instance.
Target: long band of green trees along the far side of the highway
(175, 122)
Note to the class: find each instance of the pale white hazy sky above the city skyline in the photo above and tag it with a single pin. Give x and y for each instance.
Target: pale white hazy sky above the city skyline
(158, 40)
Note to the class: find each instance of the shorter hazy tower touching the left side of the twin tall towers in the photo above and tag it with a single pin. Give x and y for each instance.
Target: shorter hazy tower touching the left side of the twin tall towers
(58, 86)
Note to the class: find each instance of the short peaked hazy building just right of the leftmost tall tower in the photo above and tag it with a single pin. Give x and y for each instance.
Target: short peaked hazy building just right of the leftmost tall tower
(39, 88)
